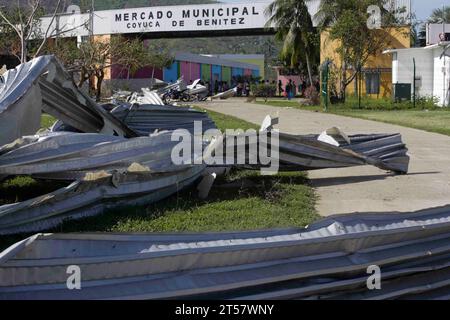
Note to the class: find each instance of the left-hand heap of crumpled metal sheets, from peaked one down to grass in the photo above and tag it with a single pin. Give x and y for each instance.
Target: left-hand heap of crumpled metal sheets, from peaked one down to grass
(110, 159)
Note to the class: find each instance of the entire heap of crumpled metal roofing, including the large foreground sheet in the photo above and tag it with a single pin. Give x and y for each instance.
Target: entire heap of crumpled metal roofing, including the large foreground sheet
(120, 155)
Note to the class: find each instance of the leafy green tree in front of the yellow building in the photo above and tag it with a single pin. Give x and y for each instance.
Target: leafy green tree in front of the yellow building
(345, 21)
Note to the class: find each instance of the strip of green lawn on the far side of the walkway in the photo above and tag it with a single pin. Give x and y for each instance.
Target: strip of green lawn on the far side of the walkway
(433, 120)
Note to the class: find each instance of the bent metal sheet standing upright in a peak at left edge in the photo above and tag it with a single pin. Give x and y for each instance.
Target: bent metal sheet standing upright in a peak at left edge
(43, 84)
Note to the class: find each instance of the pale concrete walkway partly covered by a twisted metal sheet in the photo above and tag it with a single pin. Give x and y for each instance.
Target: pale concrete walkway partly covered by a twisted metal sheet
(363, 189)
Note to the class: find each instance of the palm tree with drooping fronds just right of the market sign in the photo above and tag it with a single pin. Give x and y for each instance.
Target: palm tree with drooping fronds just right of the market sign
(294, 27)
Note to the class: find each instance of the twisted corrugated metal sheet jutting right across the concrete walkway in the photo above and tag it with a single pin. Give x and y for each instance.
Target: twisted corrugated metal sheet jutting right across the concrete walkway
(385, 151)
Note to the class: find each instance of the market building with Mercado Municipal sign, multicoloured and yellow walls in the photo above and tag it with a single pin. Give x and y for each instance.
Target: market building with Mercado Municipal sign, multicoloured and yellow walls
(209, 20)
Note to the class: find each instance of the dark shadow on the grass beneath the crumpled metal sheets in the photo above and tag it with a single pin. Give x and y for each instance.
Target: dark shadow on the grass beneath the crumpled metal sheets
(265, 191)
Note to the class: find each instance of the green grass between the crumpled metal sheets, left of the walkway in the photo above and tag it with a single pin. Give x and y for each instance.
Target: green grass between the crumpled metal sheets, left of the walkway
(243, 200)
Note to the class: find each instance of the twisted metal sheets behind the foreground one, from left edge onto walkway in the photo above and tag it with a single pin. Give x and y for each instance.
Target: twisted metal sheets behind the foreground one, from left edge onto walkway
(123, 157)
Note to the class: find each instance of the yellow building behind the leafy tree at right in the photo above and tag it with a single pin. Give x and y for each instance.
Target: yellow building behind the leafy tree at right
(376, 81)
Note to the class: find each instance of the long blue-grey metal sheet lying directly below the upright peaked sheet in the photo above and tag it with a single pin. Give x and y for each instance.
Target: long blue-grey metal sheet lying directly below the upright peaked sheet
(88, 153)
